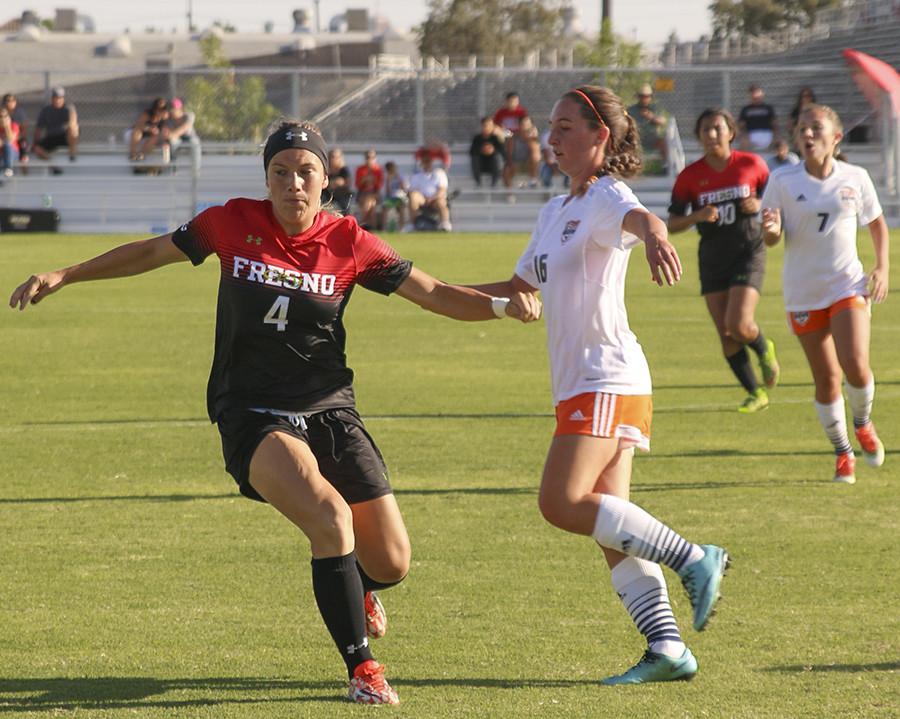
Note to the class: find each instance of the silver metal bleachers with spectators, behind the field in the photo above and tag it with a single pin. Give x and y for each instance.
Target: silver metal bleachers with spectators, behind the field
(100, 192)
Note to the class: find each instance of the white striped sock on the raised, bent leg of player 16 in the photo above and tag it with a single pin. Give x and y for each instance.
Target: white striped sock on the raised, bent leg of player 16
(627, 528)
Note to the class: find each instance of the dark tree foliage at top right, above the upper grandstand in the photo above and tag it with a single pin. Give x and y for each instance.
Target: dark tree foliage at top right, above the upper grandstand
(757, 17)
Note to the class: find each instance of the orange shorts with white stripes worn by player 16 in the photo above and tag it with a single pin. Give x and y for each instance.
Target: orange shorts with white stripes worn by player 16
(599, 414)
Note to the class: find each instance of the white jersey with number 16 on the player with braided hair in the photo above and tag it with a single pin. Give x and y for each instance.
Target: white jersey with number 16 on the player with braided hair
(578, 257)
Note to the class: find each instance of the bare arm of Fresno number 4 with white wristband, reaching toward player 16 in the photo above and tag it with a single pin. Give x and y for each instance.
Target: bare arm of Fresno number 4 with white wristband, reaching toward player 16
(467, 303)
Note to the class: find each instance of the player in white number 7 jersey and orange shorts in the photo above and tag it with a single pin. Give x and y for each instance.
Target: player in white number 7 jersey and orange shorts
(818, 204)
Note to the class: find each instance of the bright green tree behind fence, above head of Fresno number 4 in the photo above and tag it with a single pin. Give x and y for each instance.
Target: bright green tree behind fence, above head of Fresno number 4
(228, 106)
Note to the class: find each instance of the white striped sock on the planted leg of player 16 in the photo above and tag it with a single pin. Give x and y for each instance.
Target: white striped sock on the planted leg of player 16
(642, 588)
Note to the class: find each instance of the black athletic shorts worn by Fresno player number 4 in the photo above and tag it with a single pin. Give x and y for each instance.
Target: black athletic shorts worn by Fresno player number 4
(347, 455)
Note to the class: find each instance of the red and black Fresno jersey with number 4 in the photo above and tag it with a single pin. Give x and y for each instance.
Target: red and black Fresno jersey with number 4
(279, 332)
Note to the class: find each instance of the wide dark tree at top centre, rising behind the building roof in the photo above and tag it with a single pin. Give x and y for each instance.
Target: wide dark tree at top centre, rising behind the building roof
(460, 28)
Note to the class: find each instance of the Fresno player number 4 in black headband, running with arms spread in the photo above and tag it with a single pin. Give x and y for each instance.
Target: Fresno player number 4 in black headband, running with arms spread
(280, 390)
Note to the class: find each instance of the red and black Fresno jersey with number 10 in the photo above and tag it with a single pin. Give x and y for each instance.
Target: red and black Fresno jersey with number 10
(734, 232)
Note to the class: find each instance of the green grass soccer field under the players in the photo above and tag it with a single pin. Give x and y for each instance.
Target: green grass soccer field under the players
(136, 582)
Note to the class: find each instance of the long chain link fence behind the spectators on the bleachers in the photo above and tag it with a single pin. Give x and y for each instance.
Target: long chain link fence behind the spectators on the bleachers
(367, 106)
